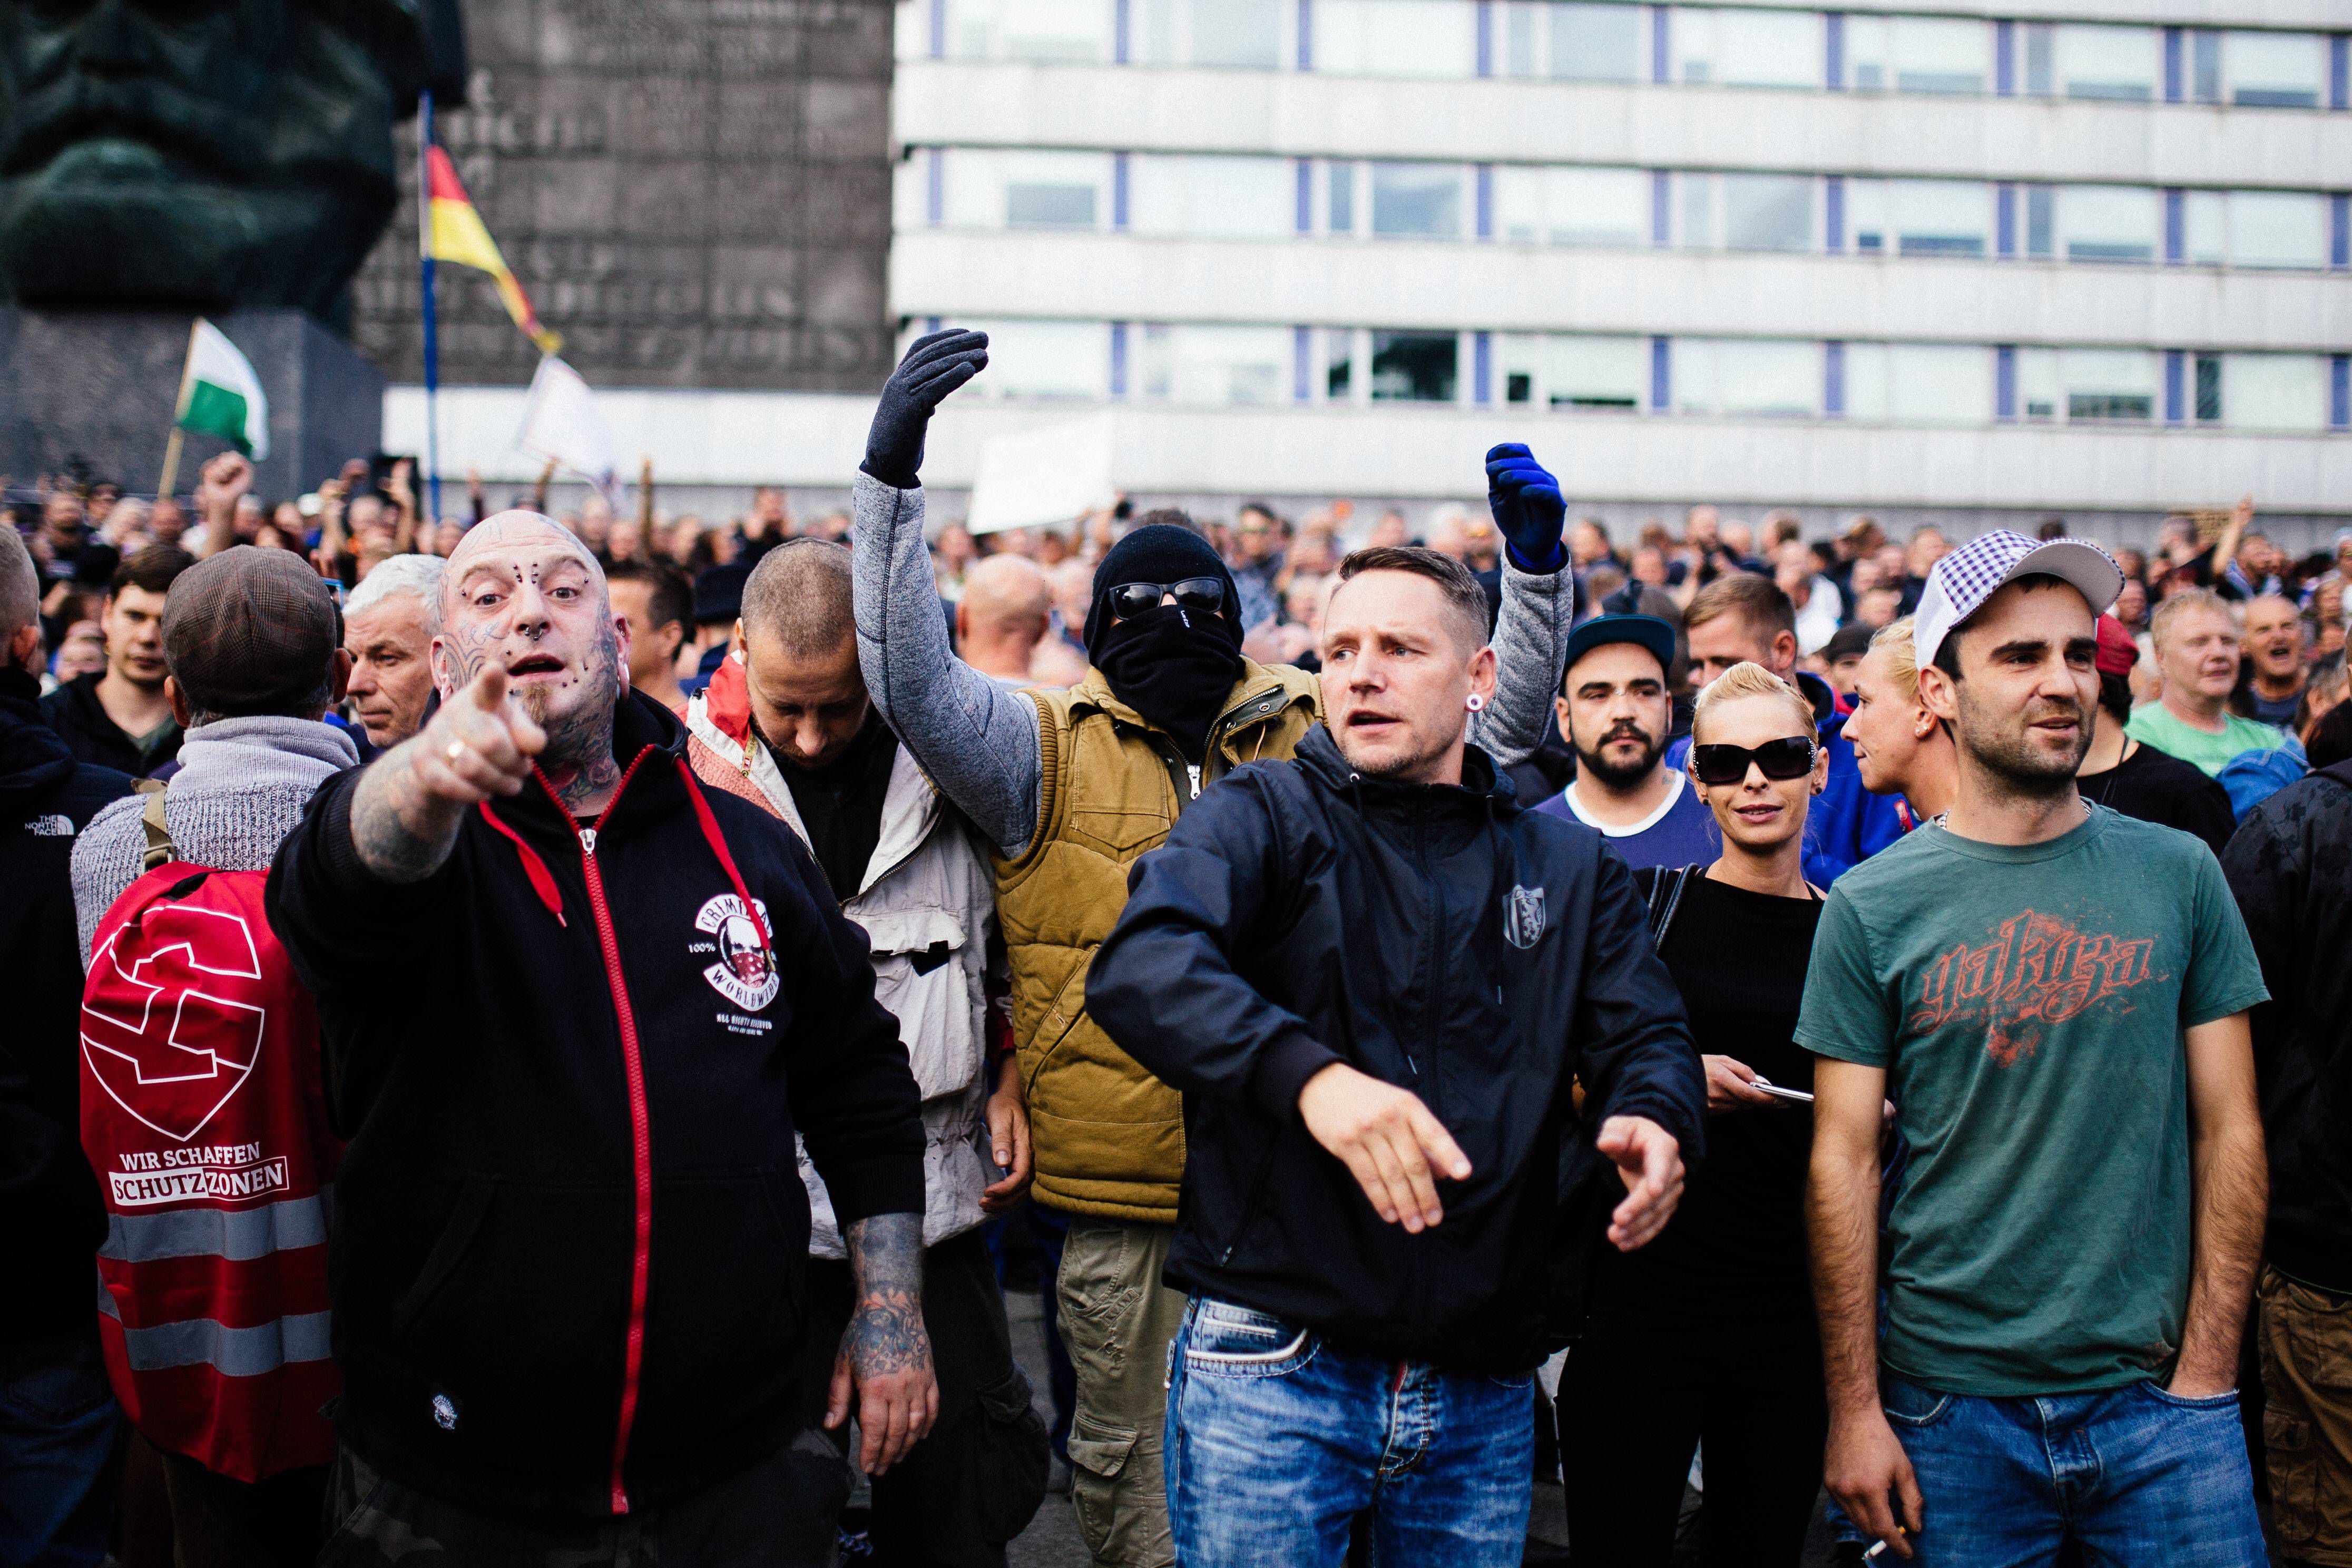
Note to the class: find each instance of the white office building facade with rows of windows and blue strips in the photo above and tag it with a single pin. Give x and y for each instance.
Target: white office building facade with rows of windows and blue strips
(1911, 260)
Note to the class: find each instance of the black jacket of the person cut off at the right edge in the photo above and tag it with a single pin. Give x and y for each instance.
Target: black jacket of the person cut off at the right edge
(2292, 873)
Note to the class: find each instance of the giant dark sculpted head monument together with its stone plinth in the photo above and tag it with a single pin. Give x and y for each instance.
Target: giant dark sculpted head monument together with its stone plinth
(218, 156)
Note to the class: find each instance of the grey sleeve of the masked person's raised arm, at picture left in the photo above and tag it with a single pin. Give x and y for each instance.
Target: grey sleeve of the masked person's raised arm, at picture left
(973, 739)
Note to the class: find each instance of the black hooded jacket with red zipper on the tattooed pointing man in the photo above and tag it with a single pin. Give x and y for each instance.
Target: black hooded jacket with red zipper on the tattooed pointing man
(568, 1090)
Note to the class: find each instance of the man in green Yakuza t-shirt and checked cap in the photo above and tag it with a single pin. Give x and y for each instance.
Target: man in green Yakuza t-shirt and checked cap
(2054, 998)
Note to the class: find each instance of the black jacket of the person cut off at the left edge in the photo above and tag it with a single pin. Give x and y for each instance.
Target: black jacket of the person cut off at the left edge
(51, 1214)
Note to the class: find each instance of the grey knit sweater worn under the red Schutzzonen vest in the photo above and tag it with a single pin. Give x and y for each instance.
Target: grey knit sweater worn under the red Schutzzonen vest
(241, 789)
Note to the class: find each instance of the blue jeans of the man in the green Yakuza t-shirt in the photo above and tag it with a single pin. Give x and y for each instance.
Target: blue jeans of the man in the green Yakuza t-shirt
(2130, 1475)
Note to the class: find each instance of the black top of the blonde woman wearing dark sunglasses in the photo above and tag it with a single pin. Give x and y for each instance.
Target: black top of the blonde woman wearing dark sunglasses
(1737, 1242)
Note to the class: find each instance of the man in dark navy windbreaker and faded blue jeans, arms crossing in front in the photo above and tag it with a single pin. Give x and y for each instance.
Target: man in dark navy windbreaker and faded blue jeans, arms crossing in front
(1372, 974)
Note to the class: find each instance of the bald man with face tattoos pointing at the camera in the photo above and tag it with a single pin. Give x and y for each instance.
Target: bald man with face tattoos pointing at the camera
(575, 1012)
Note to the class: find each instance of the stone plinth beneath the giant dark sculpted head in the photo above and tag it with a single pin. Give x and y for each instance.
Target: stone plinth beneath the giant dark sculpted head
(100, 387)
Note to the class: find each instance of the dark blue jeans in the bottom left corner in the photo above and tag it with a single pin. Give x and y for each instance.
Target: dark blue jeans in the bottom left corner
(60, 1454)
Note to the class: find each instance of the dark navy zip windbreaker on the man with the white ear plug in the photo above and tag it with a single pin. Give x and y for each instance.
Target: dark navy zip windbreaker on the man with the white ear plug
(1436, 939)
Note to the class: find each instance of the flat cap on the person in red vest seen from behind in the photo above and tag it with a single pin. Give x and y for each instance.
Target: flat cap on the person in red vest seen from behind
(250, 631)
